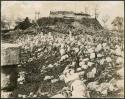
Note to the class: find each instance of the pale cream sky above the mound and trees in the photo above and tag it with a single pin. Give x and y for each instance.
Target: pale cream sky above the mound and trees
(16, 9)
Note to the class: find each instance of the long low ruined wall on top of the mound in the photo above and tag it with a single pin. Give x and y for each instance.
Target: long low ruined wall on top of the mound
(68, 14)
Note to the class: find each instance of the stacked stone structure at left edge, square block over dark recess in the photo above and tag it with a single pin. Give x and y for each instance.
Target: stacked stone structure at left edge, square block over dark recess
(9, 61)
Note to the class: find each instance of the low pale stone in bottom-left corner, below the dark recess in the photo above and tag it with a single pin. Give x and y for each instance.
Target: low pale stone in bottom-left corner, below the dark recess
(10, 94)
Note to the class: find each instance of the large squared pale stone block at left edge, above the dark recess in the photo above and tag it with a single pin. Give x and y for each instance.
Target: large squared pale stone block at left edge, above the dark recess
(9, 54)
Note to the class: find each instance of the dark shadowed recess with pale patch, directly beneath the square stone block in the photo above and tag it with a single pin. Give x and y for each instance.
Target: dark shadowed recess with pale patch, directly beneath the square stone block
(8, 77)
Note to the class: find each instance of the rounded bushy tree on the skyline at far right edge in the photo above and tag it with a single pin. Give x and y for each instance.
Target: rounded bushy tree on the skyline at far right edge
(118, 23)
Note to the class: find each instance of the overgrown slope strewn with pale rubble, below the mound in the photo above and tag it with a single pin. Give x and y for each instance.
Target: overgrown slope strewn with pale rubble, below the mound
(44, 58)
